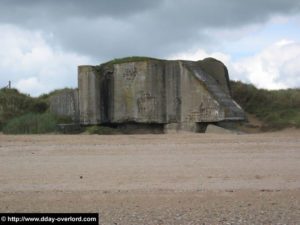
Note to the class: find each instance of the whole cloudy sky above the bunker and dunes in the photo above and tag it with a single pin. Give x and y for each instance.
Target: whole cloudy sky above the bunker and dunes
(43, 41)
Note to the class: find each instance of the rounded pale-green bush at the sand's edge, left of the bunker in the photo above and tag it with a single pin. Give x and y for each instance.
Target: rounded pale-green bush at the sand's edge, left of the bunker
(31, 124)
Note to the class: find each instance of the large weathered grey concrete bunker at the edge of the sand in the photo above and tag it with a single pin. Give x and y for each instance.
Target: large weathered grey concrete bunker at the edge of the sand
(181, 95)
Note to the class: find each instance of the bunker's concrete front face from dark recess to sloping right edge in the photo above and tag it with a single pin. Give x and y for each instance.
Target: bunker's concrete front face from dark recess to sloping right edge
(162, 92)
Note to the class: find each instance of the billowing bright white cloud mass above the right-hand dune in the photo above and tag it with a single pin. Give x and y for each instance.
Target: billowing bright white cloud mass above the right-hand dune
(273, 68)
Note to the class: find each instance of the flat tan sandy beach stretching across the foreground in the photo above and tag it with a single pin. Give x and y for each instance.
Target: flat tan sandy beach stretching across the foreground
(155, 179)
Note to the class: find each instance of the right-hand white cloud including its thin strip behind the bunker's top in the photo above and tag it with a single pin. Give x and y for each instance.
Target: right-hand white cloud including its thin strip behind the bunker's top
(275, 67)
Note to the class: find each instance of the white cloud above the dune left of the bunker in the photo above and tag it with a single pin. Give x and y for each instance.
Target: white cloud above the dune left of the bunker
(33, 65)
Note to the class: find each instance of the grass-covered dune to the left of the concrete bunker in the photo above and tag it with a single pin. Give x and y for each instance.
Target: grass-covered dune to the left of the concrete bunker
(22, 114)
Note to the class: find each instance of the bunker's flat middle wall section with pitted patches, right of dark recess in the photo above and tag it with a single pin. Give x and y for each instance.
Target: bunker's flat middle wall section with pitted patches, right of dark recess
(139, 92)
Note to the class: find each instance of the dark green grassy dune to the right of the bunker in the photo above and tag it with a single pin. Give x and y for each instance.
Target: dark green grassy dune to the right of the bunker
(277, 109)
